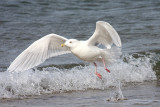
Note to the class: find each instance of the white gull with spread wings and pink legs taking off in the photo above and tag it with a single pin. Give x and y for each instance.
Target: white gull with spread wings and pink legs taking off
(53, 45)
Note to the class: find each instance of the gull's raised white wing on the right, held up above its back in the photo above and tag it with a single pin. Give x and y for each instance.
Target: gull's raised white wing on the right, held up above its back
(105, 34)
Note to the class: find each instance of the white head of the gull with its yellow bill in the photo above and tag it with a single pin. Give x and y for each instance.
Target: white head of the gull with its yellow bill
(71, 43)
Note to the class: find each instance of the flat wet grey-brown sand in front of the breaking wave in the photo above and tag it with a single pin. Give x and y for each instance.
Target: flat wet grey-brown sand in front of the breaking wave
(136, 95)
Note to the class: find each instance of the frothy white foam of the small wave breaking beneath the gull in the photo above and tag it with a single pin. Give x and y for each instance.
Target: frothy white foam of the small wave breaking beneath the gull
(52, 79)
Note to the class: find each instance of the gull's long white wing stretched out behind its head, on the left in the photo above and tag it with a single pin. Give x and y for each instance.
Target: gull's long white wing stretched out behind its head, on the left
(42, 49)
